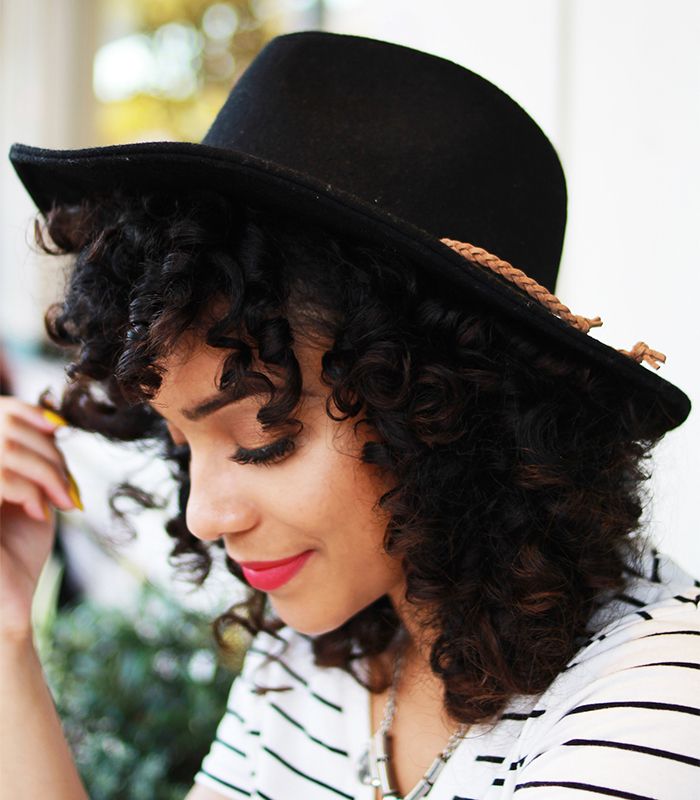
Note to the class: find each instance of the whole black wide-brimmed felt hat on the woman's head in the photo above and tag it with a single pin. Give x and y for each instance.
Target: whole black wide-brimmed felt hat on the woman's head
(390, 144)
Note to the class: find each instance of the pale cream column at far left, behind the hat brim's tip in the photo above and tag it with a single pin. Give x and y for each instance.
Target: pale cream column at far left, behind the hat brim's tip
(46, 49)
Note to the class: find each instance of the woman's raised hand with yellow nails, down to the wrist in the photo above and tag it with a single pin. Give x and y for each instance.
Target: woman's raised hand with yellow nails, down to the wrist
(33, 475)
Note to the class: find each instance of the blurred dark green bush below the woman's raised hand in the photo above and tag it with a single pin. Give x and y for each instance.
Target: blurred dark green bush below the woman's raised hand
(140, 695)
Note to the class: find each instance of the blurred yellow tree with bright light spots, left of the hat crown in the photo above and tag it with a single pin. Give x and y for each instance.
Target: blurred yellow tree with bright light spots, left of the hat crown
(167, 66)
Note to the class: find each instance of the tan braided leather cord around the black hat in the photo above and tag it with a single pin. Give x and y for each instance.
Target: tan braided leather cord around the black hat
(640, 352)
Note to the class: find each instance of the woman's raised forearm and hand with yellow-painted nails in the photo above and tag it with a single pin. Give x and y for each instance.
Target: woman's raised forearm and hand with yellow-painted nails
(32, 475)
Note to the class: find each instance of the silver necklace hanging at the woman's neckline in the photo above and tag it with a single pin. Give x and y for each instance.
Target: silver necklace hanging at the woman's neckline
(375, 763)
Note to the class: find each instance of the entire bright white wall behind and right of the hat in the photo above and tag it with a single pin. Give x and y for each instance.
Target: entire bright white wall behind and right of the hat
(616, 85)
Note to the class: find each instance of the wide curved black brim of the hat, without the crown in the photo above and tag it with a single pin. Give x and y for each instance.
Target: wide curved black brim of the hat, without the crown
(68, 176)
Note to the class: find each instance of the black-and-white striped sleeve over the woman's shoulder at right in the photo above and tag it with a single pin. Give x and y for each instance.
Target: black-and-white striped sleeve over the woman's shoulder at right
(623, 718)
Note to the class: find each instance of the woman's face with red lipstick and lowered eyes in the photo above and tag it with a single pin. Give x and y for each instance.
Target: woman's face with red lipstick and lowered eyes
(316, 501)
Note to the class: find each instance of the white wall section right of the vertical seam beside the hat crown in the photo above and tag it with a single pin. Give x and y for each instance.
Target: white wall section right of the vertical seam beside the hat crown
(631, 152)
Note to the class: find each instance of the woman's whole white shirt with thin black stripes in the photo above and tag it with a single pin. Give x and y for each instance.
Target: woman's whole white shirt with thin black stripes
(621, 720)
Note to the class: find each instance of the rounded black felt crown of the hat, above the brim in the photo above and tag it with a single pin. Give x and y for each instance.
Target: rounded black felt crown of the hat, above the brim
(418, 136)
